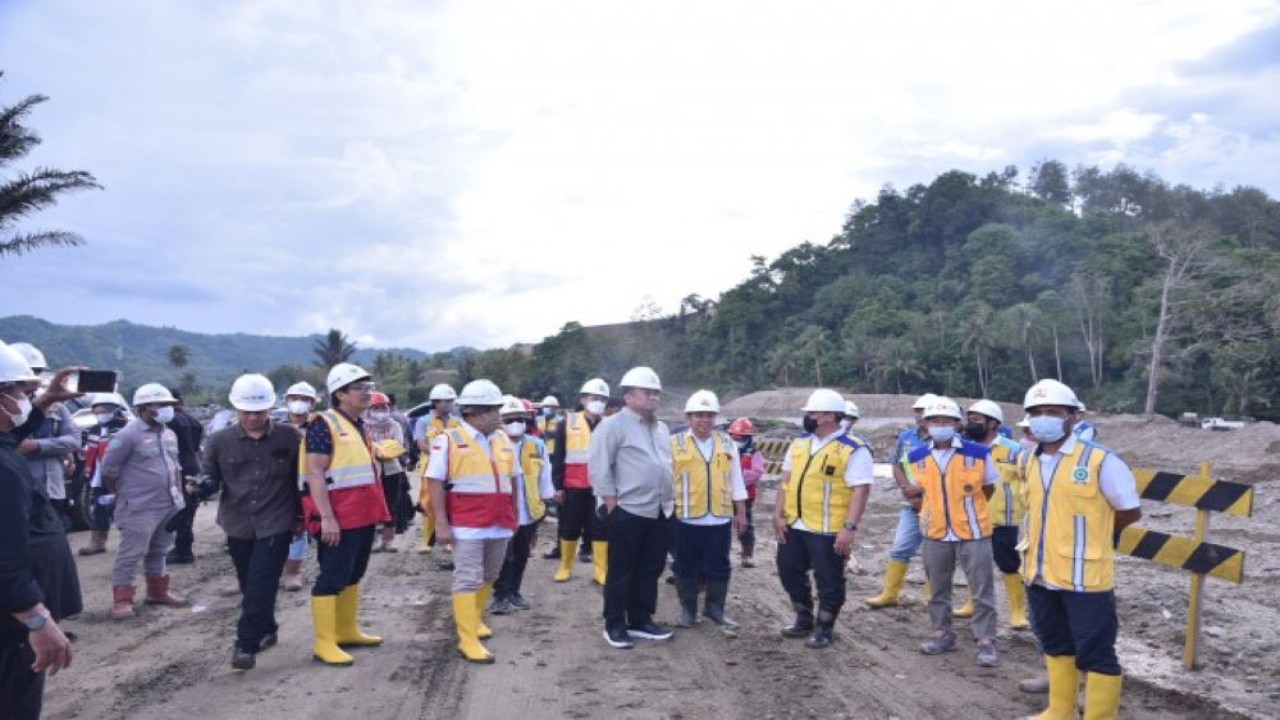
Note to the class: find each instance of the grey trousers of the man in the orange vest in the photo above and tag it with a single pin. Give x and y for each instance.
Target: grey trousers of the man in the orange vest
(940, 567)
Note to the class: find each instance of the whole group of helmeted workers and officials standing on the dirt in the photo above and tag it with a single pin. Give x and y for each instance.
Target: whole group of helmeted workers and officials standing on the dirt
(628, 490)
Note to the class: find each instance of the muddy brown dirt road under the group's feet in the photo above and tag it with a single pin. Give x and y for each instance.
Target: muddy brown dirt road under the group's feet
(552, 662)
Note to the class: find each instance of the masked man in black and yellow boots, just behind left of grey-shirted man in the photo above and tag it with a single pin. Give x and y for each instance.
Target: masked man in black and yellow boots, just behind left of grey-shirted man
(578, 516)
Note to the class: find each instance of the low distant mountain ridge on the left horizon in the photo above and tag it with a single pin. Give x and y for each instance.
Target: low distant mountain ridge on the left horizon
(141, 353)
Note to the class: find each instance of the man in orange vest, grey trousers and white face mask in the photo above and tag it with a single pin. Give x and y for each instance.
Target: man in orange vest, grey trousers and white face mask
(957, 477)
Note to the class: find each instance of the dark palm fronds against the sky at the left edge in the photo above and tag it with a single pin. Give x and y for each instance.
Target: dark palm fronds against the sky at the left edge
(30, 193)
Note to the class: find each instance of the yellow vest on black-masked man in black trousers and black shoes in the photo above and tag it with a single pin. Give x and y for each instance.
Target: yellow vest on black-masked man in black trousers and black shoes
(816, 490)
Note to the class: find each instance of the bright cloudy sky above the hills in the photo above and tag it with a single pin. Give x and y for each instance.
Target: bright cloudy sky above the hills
(479, 174)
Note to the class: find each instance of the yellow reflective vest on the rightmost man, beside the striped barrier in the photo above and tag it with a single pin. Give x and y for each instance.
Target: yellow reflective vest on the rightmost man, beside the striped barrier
(1069, 527)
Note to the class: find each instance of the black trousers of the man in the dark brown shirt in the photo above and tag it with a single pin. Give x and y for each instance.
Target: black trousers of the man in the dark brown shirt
(259, 564)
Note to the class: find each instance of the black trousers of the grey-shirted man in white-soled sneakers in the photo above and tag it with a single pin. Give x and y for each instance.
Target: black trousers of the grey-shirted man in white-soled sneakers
(638, 554)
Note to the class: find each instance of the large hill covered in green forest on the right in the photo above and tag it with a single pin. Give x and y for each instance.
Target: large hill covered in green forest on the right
(980, 285)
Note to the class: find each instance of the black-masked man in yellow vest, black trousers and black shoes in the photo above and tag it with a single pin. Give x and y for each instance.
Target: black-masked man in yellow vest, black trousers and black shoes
(828, 479)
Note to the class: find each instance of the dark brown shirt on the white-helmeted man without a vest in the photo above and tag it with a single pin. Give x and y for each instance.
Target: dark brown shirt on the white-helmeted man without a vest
(259, 480)
